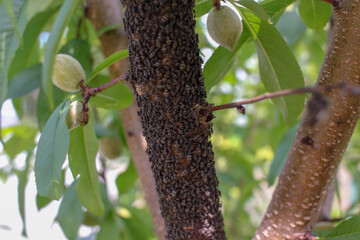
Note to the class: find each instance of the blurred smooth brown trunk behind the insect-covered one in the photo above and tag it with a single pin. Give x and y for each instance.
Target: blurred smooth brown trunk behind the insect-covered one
(105, 13)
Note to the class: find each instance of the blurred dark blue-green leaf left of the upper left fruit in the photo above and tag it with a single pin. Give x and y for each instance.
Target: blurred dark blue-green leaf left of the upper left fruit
(26, 81)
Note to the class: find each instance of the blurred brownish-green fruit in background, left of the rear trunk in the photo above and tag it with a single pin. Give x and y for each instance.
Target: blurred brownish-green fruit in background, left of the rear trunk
(110, 147)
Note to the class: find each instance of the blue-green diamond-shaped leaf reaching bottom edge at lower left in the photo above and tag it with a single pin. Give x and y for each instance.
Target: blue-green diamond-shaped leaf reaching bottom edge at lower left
(70, 214)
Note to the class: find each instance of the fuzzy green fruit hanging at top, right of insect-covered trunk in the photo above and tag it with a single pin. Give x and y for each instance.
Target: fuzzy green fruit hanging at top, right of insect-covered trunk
(224, 26)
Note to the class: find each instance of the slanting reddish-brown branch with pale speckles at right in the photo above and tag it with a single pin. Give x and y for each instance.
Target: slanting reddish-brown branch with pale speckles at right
(317, 150)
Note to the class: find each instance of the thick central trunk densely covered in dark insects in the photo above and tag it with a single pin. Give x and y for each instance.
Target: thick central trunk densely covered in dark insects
(165, 71)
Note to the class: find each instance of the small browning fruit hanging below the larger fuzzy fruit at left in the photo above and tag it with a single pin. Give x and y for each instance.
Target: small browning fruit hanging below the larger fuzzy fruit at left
(76, 116)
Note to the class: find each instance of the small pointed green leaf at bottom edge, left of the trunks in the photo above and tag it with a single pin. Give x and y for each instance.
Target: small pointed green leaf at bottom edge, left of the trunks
(108, 228)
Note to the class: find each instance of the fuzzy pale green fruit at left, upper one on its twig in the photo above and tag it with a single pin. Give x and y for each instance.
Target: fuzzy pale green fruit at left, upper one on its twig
(67, 73)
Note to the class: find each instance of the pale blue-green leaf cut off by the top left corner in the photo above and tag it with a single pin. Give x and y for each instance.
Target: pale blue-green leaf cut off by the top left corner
(9, 42)
